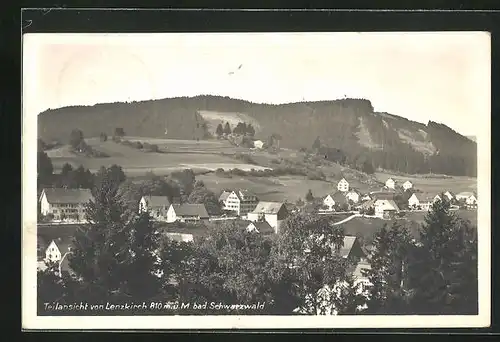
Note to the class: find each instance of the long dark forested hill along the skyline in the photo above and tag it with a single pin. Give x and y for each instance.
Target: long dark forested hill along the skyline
(348, 127)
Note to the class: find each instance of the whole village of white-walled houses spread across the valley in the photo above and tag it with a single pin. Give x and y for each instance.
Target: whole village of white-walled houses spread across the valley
(66, 207)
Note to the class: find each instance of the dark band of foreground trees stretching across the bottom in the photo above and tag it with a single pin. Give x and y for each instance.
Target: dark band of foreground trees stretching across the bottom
(122, 256)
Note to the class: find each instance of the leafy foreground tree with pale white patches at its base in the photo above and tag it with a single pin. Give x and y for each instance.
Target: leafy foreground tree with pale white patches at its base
(307, 270)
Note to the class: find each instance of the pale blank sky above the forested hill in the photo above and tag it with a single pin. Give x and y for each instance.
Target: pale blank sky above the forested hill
(443, 77)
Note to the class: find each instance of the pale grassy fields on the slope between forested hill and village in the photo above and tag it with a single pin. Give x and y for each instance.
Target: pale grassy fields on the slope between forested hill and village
(209, 155)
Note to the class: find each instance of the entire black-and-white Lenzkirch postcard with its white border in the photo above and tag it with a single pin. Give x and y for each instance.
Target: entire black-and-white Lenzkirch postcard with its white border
(256, 180)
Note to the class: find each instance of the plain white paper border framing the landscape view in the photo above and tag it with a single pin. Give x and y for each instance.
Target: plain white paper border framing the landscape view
(29, 217)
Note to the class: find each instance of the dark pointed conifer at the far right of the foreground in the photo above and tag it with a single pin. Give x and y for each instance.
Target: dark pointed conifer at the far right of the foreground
(444, 271)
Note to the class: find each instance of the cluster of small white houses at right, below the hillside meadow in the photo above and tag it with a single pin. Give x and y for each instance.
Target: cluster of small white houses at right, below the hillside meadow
(382, 202)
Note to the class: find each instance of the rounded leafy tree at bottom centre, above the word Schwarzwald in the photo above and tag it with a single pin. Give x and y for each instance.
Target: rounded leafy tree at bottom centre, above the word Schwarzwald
(229, 266)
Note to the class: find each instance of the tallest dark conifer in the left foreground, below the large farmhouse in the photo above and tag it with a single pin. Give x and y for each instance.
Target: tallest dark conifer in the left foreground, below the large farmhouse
(115, 256)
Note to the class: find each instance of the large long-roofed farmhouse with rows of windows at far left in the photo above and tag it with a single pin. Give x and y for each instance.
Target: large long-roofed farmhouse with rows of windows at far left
(64, 204)
